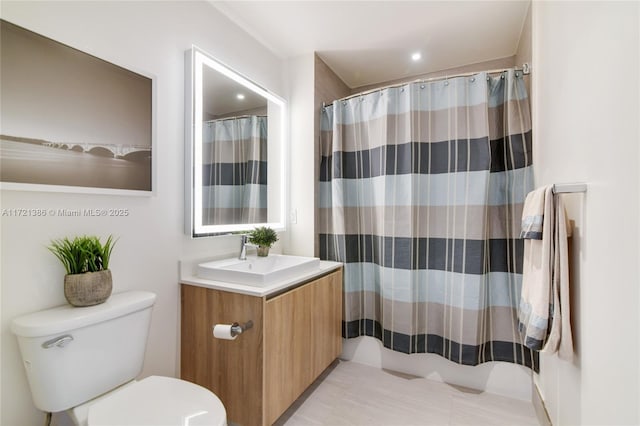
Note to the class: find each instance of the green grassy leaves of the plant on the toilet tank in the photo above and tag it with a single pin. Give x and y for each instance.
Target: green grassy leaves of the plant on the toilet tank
(83, 254)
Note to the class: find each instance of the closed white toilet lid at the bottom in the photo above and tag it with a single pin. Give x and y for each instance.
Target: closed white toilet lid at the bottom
(158, 401)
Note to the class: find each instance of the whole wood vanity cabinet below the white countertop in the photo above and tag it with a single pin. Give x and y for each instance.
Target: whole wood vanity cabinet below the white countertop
(296, 335)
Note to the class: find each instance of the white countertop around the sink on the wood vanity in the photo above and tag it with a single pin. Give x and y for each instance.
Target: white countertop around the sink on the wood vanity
(188, 276)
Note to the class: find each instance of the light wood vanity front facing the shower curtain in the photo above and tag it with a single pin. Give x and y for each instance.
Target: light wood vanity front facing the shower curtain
(302, 337)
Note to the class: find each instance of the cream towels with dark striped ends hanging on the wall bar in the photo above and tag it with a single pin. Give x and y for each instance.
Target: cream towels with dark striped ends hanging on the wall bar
(544, 311)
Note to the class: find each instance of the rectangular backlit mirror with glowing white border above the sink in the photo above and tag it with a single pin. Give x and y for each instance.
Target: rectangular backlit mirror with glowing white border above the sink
(235, 171)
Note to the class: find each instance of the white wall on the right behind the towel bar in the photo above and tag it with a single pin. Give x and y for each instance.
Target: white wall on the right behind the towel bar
(586, 113)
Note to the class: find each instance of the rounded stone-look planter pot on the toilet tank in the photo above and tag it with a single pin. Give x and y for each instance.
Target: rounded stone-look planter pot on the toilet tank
(88, 289)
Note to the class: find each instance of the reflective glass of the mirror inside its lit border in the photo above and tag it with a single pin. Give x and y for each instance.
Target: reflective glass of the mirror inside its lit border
(234, 152)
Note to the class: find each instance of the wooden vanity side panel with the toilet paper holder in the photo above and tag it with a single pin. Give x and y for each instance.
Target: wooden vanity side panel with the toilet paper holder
(232, 369)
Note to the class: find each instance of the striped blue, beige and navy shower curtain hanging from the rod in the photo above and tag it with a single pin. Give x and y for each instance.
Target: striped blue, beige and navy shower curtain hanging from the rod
(421, 192)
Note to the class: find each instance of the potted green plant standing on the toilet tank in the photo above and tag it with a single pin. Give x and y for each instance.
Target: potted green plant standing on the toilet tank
(86, 261)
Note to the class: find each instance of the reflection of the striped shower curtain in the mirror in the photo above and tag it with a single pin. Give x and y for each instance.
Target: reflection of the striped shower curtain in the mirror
(234, 170)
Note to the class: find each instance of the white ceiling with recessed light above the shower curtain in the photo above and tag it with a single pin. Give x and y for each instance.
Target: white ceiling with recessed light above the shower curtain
(367, 42)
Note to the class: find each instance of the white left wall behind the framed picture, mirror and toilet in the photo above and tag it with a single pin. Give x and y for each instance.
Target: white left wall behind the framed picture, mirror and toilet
(151, 38)
